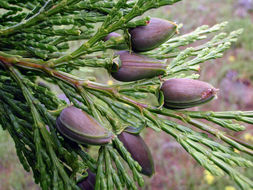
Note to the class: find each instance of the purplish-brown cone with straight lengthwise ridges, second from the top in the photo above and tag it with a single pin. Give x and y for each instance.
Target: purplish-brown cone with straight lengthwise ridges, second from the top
(135, 67)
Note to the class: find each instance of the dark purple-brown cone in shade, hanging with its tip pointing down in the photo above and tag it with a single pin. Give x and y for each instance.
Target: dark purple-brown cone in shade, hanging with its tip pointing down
(139, 151)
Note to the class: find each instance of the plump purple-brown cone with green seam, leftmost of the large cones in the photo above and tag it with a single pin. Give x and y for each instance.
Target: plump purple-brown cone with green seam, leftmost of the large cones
(80, 127)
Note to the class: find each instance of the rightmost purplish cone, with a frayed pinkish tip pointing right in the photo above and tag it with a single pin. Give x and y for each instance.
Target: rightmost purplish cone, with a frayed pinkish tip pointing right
(185, 93)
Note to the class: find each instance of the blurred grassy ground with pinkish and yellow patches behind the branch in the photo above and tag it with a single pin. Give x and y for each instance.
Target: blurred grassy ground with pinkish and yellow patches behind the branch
(232, 74)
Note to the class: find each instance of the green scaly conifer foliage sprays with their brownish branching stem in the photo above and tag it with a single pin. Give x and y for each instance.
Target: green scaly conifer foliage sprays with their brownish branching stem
(35, 42)
